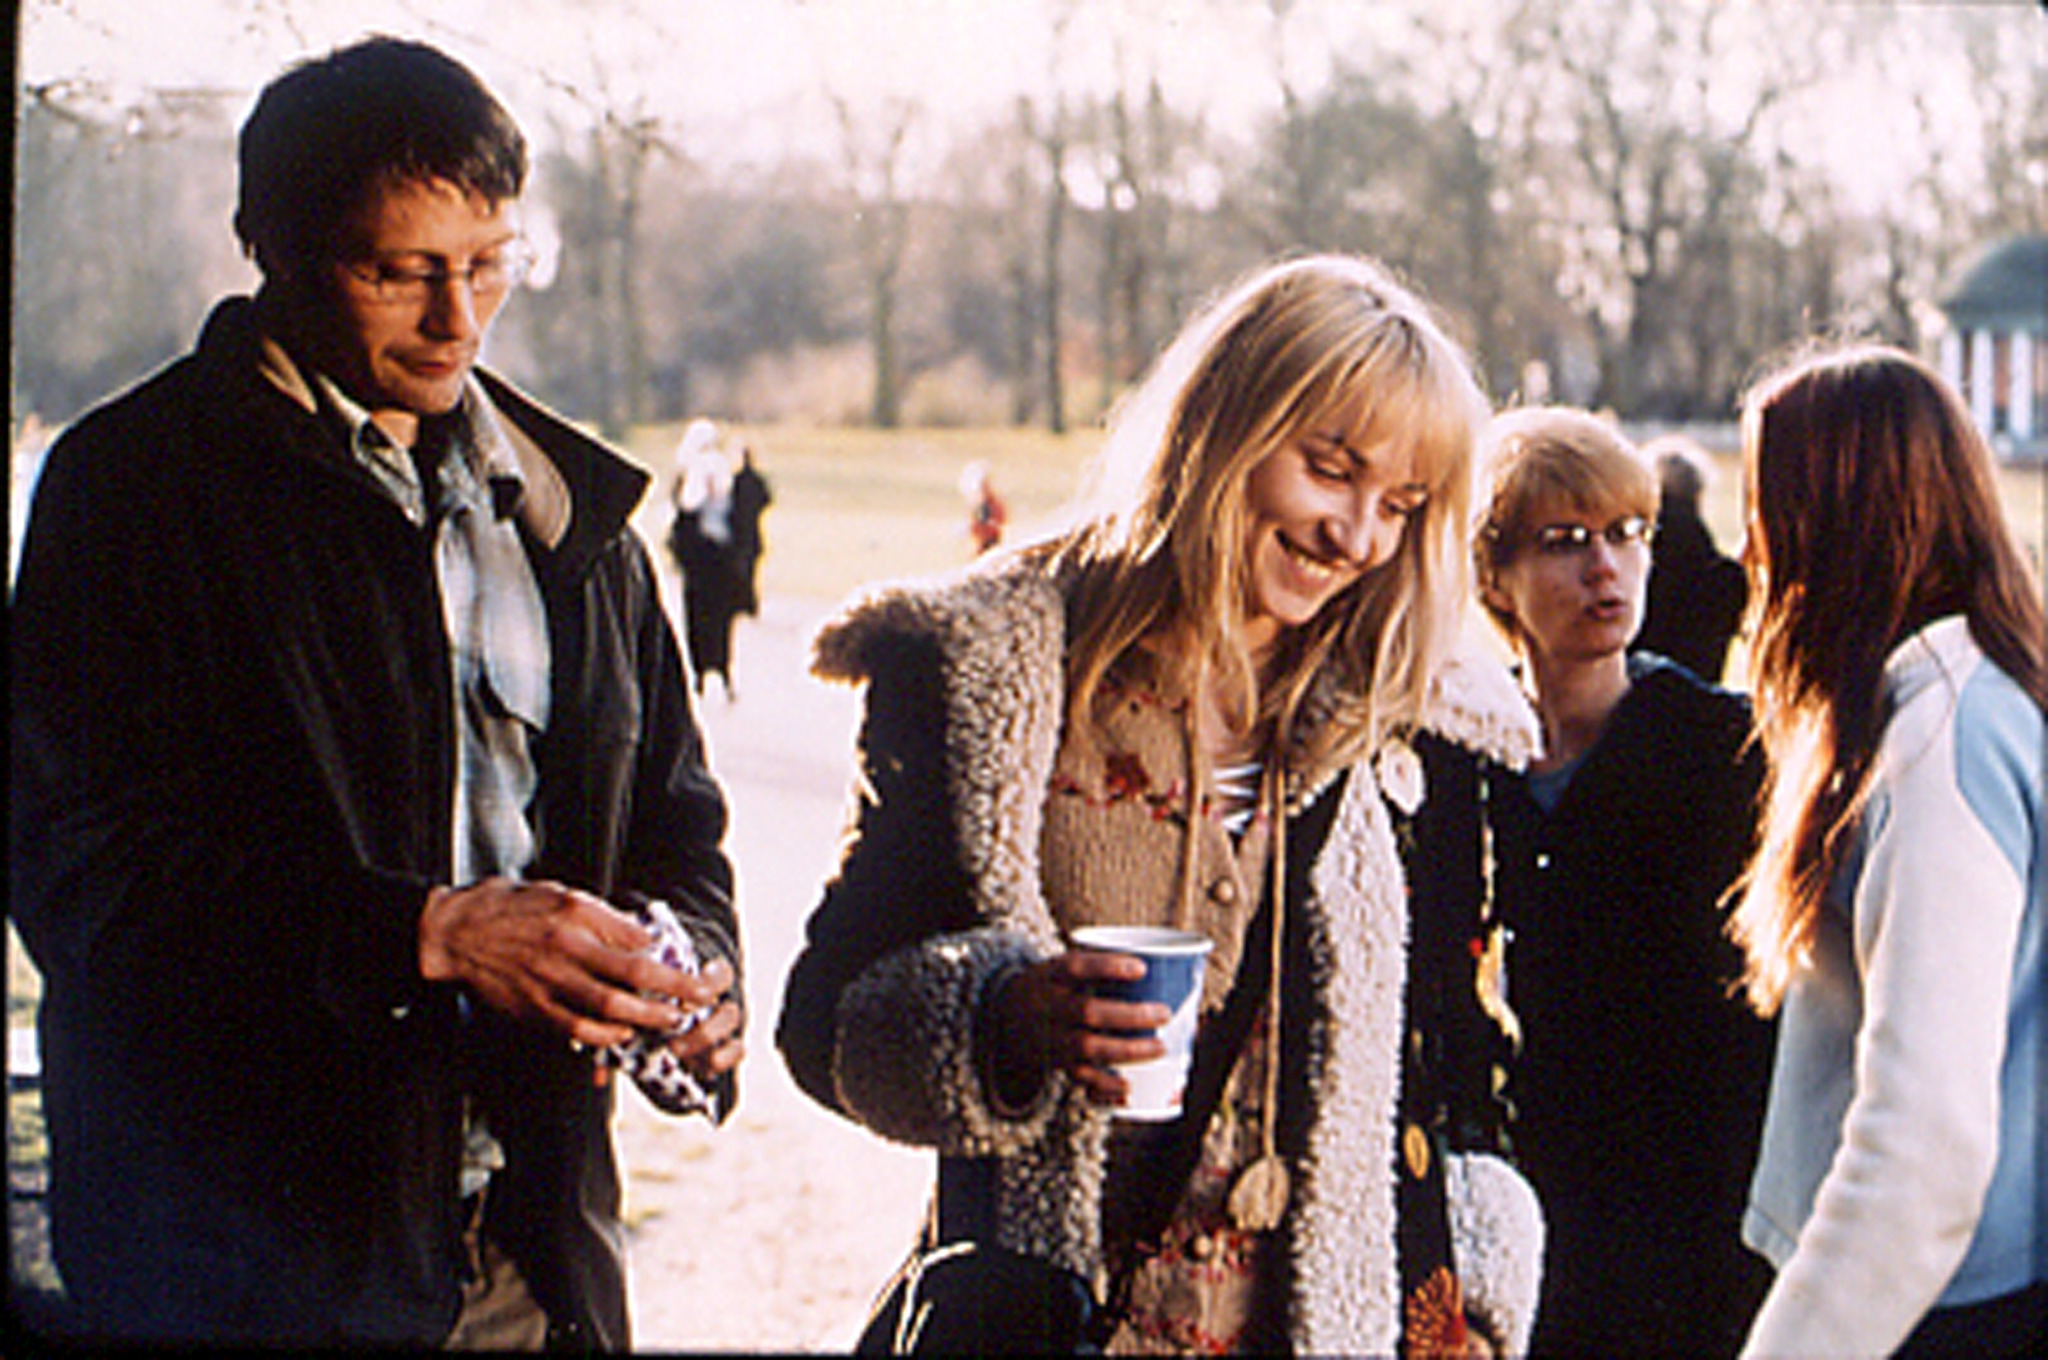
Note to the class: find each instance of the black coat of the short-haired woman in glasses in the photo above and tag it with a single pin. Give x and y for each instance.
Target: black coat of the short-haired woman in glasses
(1641, 1082)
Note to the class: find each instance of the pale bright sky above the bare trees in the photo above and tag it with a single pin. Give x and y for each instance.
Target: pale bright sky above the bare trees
(746, 81)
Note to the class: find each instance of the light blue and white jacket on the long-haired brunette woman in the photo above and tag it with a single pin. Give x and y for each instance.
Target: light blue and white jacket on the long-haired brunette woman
(1906, 1162)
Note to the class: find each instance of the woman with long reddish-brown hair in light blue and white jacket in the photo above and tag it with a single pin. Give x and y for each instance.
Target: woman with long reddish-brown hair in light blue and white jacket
(1895, 906)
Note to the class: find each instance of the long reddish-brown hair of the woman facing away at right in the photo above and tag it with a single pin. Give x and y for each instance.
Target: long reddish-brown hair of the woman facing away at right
(1875, 511)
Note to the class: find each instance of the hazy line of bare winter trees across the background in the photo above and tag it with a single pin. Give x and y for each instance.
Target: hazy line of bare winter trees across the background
(1633, 200)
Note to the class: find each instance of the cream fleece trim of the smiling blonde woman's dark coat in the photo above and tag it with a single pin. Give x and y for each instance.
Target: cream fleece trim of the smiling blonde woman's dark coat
(900, 1054)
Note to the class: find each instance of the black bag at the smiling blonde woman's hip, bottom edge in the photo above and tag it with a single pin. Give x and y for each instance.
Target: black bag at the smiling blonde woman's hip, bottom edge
(964, 1295)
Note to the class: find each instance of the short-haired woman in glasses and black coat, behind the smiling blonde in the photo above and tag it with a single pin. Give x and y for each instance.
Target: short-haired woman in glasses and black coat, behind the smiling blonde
(1639, 1085)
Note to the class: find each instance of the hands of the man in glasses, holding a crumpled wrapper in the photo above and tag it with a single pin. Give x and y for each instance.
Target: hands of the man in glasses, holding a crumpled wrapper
(564, 958)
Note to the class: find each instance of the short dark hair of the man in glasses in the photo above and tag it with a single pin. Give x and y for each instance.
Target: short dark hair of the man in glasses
(333, 130)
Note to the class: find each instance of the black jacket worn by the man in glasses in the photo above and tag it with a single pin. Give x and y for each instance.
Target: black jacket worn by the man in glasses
(232, 781)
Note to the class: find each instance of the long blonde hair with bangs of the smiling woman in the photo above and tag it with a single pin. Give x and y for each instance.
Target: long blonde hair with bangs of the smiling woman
(1160, 554)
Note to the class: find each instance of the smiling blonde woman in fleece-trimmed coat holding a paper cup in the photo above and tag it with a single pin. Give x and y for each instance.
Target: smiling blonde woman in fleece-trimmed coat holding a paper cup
(1172, 716)
